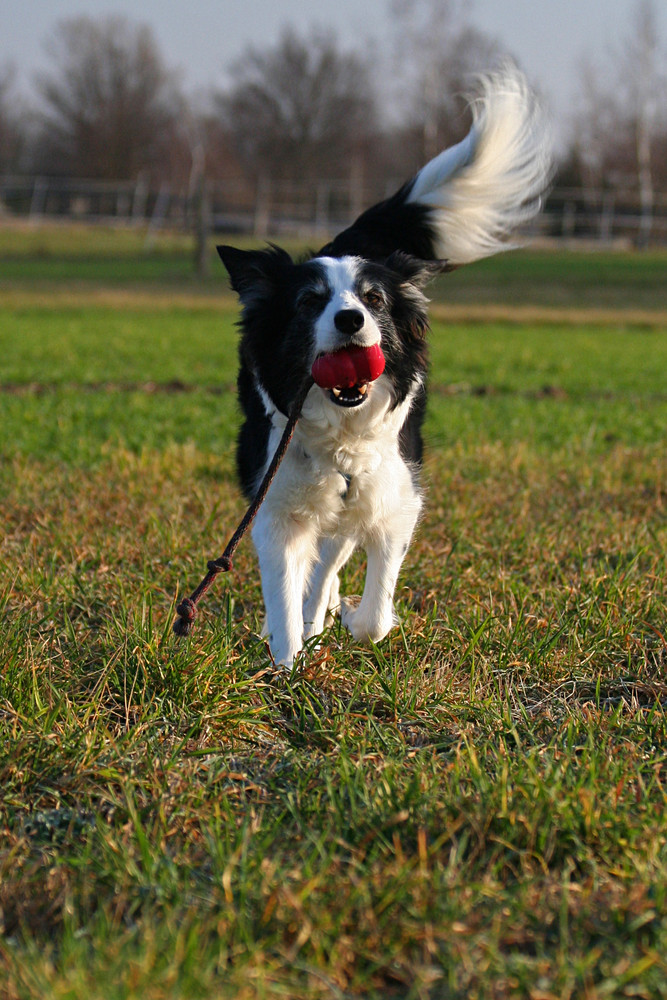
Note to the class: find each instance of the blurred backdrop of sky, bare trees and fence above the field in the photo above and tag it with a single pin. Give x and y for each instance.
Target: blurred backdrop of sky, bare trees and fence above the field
(255, 118)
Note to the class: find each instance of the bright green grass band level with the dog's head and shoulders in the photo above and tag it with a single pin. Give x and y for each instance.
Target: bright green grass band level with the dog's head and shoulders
(87, 379)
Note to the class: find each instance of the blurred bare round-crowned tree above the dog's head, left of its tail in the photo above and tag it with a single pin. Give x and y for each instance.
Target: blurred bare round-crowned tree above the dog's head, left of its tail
(298, 110)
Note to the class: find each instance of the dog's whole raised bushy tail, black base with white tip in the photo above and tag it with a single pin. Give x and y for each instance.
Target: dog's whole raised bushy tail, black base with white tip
(466, 203)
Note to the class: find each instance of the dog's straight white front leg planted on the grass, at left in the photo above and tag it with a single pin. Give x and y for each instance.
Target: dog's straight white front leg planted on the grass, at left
(285, 552)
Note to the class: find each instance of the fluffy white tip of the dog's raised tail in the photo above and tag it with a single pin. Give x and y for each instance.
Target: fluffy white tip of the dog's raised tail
(483, 188)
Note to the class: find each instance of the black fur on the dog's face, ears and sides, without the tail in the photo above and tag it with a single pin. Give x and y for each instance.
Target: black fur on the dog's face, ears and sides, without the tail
(276, 343)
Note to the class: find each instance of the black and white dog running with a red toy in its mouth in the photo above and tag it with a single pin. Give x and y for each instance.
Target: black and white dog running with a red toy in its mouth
(350, 477)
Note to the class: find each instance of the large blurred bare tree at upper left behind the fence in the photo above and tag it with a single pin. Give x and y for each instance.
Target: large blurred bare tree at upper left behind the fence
(110, 104)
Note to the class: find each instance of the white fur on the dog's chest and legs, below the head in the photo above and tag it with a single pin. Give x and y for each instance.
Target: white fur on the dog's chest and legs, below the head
(342, 485)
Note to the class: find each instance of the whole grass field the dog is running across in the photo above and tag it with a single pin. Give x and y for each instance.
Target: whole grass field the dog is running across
(475, 808)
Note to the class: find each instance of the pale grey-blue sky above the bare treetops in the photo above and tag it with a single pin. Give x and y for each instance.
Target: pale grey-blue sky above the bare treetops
(549, 38)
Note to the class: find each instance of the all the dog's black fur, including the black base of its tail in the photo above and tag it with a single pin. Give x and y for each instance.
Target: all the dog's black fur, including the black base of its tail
(281, 299)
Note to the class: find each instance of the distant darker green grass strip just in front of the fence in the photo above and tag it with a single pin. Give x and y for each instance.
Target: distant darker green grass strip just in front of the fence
(48, 256)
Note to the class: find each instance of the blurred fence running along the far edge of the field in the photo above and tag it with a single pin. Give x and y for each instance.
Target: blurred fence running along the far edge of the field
(604, 217)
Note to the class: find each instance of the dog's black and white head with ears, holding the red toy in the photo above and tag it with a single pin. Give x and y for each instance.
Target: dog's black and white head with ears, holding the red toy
(295, 312)
